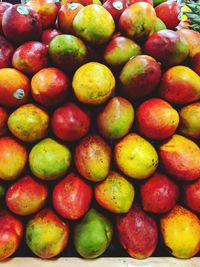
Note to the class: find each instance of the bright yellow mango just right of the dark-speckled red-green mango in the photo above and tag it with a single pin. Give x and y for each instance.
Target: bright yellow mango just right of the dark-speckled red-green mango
(135, 156)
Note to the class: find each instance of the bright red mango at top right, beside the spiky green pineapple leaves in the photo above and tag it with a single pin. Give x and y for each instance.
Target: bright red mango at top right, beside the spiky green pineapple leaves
(168, 12)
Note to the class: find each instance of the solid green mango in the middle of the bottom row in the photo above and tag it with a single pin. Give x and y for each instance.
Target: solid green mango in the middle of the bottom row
(92, 235)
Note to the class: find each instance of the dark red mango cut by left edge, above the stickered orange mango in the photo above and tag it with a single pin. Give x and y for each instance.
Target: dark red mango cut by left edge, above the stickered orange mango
(6, 52)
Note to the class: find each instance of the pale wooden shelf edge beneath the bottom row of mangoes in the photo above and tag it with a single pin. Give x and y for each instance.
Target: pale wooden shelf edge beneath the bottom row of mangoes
(101, 262)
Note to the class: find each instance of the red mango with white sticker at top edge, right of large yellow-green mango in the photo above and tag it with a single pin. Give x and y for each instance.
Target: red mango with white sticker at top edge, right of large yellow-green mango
(115, 8)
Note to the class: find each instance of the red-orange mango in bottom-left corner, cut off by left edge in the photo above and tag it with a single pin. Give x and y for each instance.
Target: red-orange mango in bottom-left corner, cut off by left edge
(11, 231)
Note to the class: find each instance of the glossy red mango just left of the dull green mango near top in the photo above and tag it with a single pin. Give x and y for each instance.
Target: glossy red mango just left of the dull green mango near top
(30, 57)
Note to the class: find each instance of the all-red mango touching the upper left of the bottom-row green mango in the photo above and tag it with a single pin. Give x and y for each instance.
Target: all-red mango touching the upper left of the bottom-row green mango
(72, 197)
